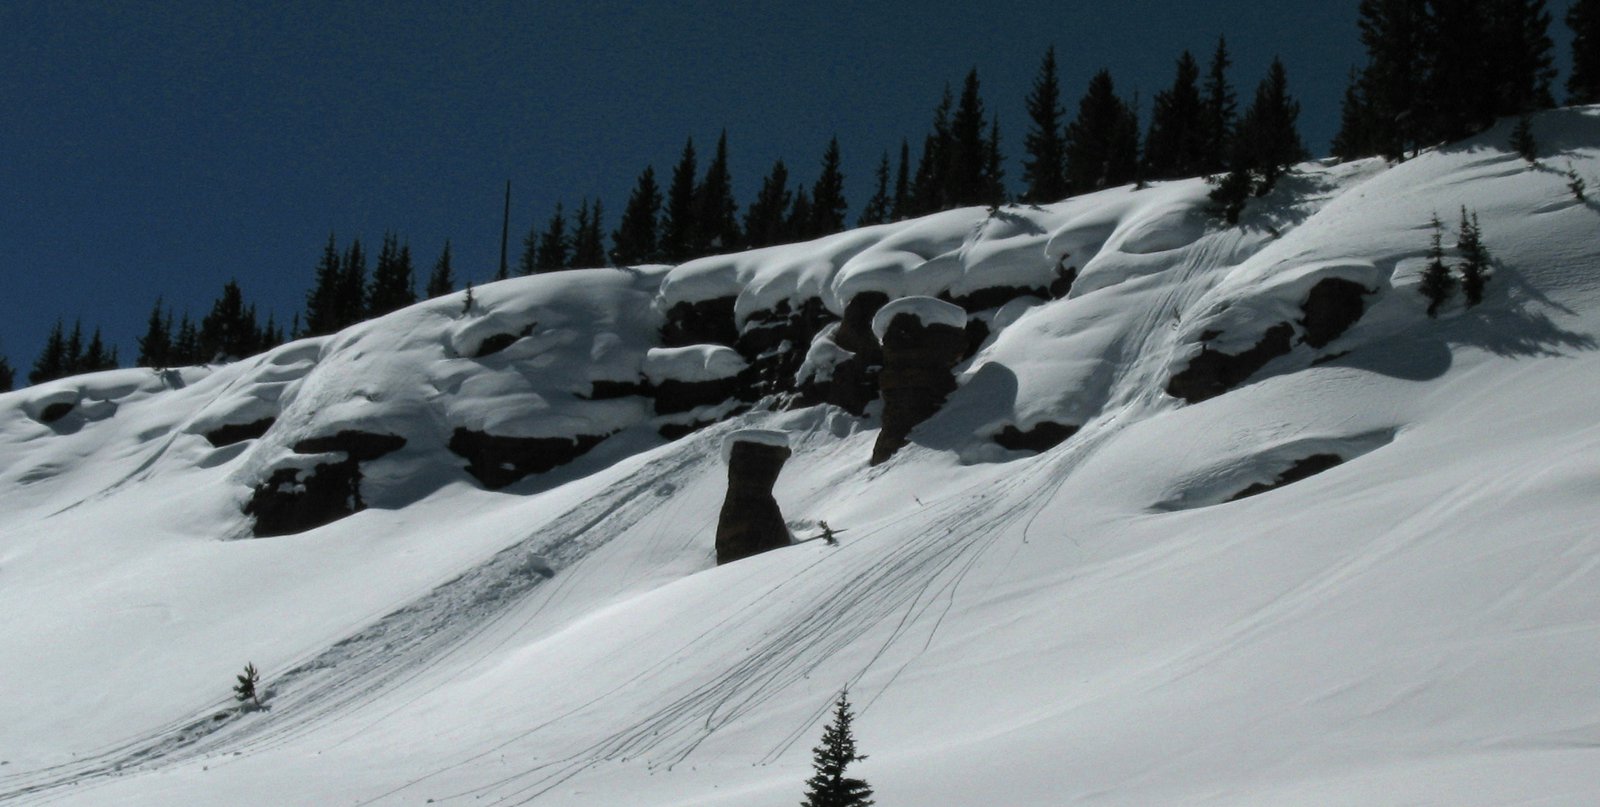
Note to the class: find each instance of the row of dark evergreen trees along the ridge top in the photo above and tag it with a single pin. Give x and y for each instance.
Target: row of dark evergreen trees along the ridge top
(1422, 86)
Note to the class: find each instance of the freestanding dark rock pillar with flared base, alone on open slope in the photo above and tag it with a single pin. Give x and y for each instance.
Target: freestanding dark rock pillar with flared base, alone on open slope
(751, 521)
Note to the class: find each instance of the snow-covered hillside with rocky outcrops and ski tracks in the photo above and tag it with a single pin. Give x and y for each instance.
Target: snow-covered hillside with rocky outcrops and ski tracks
(1137, 510)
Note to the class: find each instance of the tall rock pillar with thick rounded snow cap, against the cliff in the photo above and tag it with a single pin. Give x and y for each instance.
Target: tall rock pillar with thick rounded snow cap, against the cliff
(922, 340)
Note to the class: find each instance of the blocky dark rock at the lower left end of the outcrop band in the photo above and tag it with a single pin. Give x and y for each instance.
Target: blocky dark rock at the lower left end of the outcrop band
(295, 500)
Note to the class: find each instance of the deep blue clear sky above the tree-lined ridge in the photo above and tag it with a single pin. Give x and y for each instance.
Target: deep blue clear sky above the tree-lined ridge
(166, 148)
